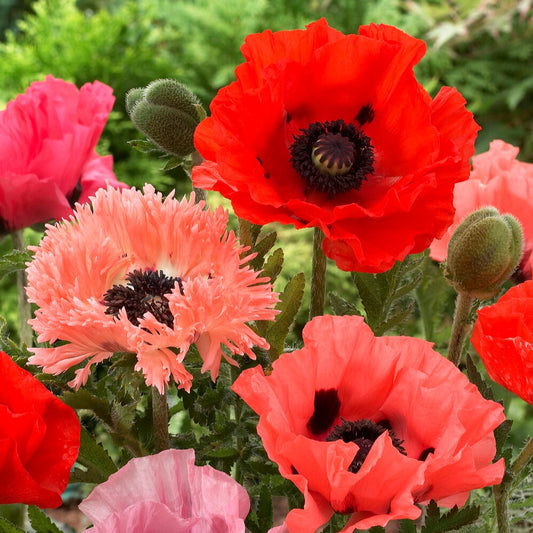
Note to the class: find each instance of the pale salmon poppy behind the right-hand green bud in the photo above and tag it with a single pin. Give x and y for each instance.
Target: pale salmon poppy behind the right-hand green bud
(497, 179)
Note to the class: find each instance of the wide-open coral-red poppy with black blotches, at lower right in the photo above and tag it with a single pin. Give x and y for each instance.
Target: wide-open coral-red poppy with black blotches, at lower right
(371, 426)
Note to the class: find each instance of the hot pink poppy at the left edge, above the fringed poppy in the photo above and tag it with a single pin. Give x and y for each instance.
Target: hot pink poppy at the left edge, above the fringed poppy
(48, 160)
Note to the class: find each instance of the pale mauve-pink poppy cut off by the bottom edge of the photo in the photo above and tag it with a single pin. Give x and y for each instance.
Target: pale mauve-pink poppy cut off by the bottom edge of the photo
(167, 492)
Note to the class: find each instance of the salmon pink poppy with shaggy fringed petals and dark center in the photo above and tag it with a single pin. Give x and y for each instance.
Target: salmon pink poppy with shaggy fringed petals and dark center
(136, 273)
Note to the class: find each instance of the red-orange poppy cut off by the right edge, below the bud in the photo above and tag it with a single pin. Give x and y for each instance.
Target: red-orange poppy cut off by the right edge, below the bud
(503, 337)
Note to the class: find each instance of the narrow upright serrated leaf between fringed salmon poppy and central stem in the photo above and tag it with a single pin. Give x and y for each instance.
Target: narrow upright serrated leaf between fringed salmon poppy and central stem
(289, 304)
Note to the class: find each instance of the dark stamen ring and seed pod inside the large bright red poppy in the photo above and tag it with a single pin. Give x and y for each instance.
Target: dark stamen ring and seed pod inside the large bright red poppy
(324, 147)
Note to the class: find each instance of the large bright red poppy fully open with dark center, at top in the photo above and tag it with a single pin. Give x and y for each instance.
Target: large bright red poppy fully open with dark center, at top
(331, 130)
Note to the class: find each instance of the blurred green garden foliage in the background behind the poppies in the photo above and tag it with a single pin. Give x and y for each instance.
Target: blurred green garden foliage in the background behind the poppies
(482, 47)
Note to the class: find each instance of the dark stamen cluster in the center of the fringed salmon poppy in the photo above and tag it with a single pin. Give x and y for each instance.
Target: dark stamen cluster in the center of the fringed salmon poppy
(144, 292)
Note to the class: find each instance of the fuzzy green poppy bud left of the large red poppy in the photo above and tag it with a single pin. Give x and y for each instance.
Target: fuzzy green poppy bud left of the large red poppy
(167, 112)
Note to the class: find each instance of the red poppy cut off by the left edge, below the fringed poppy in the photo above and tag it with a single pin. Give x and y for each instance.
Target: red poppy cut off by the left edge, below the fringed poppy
(39, 439)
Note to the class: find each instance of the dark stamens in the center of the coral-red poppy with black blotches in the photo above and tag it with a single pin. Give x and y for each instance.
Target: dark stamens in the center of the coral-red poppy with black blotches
(364, 433)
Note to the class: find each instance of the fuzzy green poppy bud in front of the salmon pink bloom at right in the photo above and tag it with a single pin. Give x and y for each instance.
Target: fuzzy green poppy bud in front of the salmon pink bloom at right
(483, 252)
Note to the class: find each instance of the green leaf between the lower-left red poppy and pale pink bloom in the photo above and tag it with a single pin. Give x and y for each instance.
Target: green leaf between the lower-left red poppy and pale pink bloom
(95, 459)
